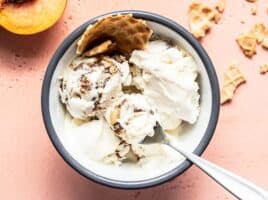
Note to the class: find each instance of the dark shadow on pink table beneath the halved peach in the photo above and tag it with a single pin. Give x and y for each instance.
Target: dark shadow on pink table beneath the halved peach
(23, 50)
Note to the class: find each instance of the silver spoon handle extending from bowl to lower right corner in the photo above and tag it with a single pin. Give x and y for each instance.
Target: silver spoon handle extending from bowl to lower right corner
(238, 186)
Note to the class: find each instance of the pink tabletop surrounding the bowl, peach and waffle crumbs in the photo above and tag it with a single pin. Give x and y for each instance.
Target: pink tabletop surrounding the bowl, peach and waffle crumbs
(30, 168)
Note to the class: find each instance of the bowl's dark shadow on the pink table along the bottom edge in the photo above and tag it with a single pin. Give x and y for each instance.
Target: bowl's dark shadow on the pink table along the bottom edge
(80, 188)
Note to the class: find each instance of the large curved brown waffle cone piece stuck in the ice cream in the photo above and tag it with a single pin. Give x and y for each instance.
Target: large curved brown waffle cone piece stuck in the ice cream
(126, 31)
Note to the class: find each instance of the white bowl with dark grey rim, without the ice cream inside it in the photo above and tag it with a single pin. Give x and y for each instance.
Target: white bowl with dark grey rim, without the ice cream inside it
(195, 138)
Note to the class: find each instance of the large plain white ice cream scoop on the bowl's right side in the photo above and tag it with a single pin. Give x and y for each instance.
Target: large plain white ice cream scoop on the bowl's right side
(169, 82)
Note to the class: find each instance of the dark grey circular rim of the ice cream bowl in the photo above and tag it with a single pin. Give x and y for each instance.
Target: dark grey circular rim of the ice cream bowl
(152, 181)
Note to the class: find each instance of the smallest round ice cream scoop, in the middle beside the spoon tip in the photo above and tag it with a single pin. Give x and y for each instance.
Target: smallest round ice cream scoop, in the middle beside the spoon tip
(132, 118)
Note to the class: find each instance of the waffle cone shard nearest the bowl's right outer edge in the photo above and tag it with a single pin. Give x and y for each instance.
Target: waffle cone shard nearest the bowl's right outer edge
(233, 77)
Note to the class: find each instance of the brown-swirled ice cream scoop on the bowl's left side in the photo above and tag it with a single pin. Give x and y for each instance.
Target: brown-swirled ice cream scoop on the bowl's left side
(89, 85)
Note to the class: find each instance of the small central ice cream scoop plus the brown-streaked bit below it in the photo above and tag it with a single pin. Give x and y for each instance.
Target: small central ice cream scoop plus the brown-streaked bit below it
(132, 118)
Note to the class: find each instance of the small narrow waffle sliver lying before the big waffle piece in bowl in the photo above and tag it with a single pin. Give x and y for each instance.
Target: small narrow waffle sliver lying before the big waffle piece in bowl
(105, 47)
